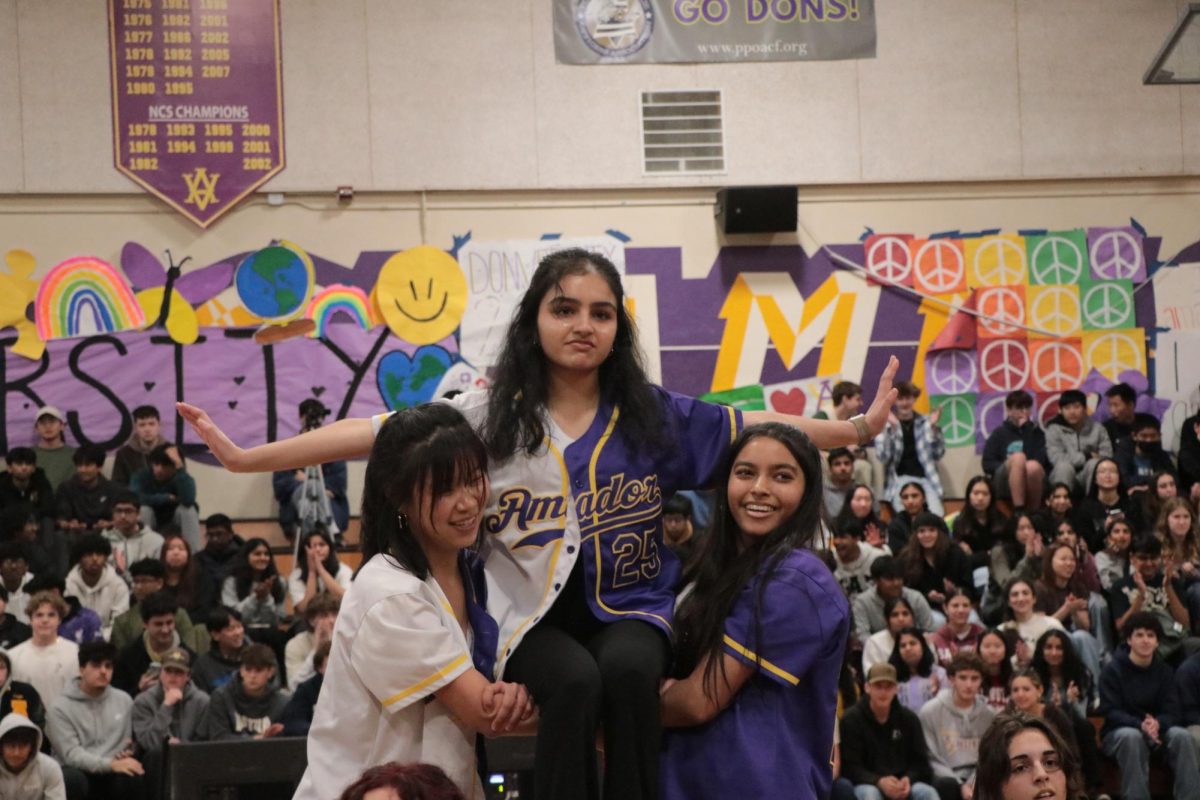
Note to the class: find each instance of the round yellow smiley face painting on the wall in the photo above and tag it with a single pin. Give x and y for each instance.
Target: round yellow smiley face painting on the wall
(422, 294)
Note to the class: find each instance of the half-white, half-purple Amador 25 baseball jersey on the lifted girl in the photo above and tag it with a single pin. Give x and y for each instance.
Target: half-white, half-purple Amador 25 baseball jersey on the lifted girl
(597, 500)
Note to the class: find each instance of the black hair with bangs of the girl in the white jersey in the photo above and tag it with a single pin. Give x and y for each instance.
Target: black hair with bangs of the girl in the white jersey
(433, 448)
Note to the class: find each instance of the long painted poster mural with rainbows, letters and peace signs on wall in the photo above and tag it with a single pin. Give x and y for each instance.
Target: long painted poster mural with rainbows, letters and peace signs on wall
(973, 316)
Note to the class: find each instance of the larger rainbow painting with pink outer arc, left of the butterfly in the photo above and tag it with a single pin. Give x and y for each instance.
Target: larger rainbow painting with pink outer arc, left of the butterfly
(83, 297)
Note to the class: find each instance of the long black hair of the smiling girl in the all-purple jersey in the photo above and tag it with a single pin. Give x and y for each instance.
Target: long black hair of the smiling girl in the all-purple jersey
(724, 568)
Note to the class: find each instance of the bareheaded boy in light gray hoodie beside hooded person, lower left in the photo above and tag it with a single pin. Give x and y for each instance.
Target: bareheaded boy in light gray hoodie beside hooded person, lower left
(92, 732)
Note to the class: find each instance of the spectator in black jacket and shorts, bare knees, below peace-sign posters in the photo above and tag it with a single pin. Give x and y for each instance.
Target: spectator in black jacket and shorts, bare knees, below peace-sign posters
(1016, 454)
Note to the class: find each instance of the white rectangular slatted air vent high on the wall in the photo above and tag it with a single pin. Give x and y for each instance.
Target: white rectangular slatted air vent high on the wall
(682, 133)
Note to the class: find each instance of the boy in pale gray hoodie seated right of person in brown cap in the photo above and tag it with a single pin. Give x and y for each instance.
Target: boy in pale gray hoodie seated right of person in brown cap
(955, 723)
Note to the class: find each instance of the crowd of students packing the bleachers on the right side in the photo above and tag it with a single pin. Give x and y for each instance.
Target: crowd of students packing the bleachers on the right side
(1067, 588)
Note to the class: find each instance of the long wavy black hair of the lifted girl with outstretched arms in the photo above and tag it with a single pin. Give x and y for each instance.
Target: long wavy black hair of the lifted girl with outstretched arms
(517, 401)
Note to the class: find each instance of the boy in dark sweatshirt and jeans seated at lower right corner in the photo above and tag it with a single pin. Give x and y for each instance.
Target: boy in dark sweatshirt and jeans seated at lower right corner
(1142, 713)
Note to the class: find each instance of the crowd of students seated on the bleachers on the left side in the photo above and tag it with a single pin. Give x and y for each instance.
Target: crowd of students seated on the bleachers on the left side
(117, 639)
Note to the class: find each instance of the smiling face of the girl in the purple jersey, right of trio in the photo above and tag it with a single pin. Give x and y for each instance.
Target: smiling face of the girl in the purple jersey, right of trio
(766, 488)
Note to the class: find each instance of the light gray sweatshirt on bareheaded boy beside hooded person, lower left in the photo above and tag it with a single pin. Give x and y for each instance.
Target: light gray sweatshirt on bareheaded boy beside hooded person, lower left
(89, 732)
